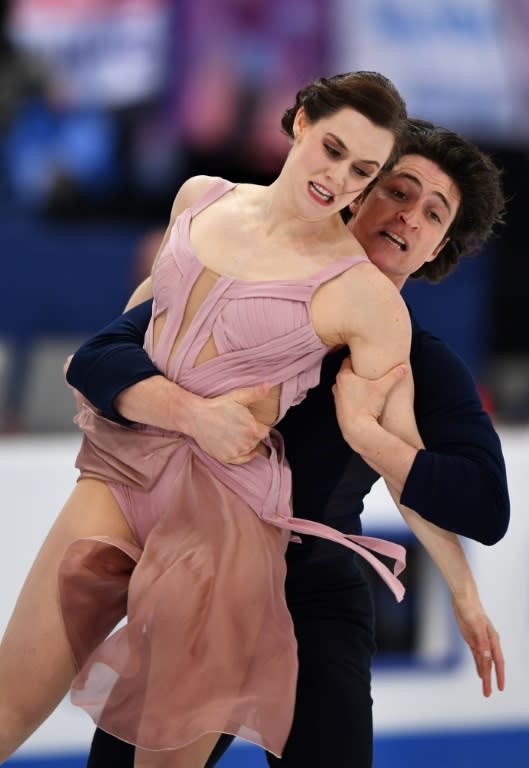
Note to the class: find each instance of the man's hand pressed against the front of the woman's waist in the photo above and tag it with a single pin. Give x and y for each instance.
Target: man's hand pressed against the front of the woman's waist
(225, 428)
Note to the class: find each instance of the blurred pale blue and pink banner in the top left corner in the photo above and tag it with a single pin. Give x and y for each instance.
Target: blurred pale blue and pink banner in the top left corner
(103, 52)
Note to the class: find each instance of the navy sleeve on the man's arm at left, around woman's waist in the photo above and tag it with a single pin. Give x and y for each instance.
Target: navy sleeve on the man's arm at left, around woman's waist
(112, 360)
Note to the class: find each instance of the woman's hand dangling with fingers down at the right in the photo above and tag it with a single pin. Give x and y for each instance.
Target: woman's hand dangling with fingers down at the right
(482, 639)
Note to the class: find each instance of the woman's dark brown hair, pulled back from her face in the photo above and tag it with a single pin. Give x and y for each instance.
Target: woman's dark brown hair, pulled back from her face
(369, 93)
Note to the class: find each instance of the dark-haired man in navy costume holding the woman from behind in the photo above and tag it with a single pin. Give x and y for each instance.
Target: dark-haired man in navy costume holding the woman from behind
(457, 482)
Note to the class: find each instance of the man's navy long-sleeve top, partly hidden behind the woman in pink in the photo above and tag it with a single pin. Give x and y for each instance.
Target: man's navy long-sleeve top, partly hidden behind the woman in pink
(457, 482)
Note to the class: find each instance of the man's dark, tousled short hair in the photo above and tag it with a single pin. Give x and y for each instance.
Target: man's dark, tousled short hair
(478, 180)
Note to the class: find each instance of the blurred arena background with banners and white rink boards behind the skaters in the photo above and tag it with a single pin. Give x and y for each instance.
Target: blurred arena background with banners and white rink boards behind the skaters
(106, 106)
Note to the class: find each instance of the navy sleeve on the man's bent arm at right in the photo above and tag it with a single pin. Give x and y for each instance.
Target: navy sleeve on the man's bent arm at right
(459, 482)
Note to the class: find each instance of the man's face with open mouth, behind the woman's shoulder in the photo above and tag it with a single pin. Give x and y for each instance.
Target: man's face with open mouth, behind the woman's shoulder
(404, 220)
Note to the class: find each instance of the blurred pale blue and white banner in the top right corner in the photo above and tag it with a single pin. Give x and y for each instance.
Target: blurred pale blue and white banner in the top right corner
(462, 63)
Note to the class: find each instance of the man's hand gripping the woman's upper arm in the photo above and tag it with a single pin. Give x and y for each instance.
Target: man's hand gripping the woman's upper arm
(360, 402)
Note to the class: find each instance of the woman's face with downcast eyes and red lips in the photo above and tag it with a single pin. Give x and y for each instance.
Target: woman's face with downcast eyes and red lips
(335, 158)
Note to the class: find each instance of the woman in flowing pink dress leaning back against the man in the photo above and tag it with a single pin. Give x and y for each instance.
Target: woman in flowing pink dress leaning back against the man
(251, 283)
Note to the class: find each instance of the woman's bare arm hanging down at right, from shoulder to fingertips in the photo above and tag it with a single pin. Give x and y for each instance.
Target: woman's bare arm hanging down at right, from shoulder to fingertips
(378, 334)
